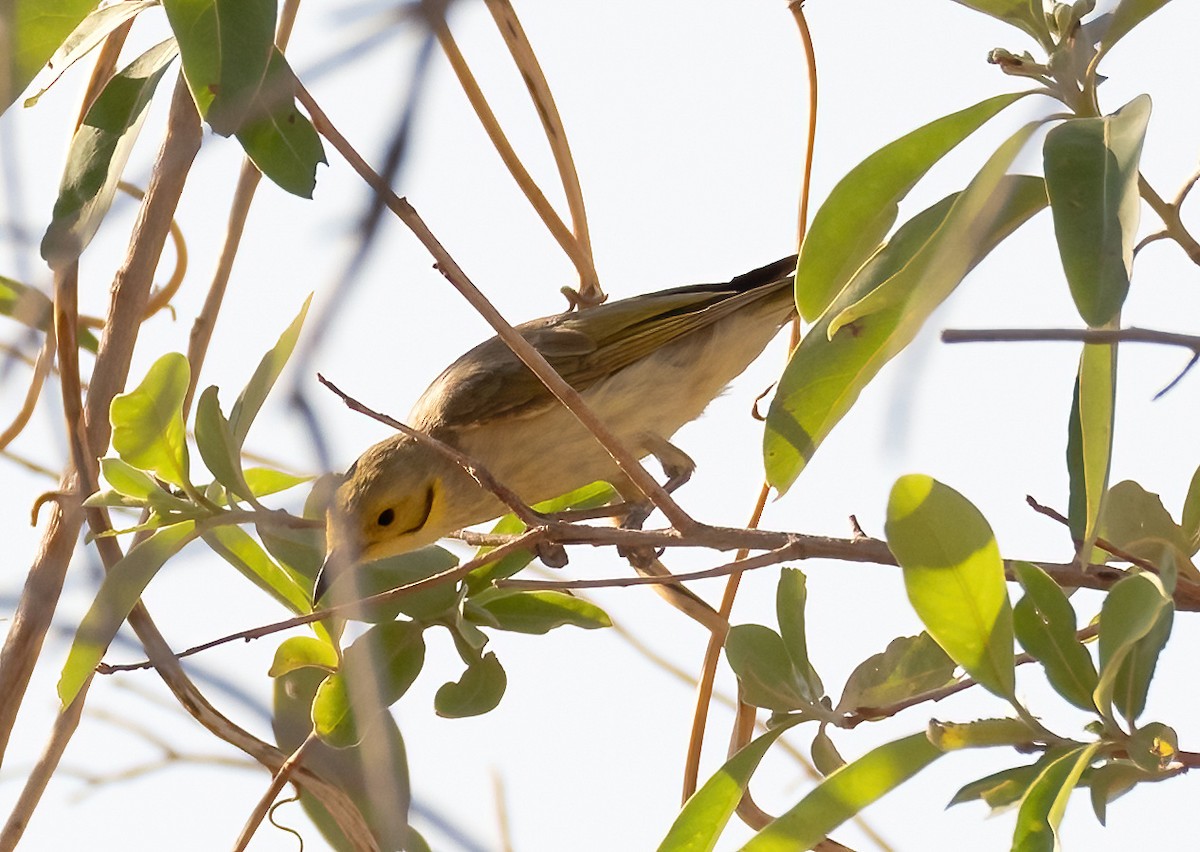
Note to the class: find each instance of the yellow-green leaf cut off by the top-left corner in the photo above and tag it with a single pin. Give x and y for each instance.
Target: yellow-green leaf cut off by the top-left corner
(32, 34)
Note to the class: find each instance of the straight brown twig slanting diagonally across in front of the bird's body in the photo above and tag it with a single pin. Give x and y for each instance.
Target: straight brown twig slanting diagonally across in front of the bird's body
(519, 345)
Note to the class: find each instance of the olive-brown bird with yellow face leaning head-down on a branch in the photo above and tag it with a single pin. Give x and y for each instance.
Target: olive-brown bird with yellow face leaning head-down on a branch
(645, 365)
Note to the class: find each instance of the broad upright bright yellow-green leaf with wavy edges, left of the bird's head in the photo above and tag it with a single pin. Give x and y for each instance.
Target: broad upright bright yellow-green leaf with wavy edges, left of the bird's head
(148, 423)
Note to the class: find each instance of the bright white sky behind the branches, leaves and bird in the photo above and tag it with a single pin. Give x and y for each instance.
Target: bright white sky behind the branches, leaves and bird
(687, 124)
